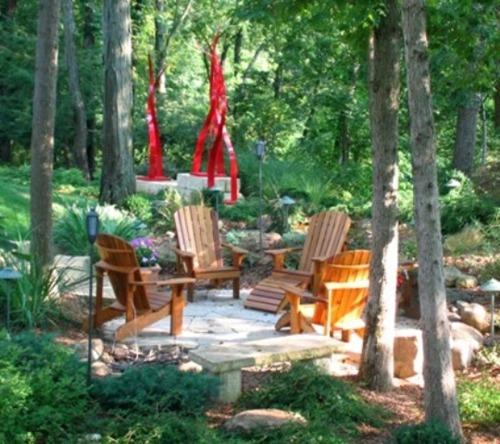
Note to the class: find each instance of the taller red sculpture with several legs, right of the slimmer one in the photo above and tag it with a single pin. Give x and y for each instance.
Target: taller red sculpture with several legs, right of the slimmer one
(215, 129)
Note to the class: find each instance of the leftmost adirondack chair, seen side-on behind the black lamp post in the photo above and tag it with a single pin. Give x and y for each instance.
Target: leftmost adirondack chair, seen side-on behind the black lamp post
(136, 297)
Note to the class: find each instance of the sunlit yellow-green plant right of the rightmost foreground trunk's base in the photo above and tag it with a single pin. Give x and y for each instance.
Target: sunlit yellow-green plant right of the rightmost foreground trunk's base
(479, 401)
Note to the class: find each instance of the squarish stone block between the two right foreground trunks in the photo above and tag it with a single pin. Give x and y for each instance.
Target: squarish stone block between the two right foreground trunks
(408, 353)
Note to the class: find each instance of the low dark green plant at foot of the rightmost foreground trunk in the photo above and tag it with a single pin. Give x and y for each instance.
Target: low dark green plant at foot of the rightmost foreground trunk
(424, 433)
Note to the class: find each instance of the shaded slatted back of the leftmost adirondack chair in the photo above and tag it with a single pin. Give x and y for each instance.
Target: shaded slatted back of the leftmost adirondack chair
(120, 263)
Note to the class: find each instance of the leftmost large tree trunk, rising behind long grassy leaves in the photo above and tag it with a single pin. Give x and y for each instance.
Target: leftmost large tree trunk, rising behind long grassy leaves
(42, 136)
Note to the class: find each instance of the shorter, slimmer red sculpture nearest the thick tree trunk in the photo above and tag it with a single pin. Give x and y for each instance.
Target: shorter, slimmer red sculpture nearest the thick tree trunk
(155, 149)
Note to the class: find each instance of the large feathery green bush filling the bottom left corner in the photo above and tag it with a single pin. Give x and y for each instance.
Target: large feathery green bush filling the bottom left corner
(43, 391)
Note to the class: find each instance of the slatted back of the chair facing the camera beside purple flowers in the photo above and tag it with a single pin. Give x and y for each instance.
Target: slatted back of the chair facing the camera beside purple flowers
(197, 231)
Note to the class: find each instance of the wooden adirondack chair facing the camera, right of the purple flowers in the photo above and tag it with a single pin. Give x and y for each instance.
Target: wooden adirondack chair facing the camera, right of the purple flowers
(200, 250)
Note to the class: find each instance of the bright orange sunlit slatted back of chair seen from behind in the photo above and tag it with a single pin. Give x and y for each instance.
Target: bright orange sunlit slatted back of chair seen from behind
(348, 304)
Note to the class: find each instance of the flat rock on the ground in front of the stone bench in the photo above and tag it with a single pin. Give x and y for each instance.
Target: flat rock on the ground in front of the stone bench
(262, 419)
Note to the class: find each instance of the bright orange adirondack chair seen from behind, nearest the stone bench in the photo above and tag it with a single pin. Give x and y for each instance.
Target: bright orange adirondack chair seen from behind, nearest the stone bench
(340, 302)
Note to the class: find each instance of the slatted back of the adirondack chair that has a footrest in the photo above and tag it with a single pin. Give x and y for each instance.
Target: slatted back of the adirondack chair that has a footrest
(325, 237)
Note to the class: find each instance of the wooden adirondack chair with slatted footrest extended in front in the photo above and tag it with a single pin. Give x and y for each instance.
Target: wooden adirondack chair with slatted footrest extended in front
(325, 239)
